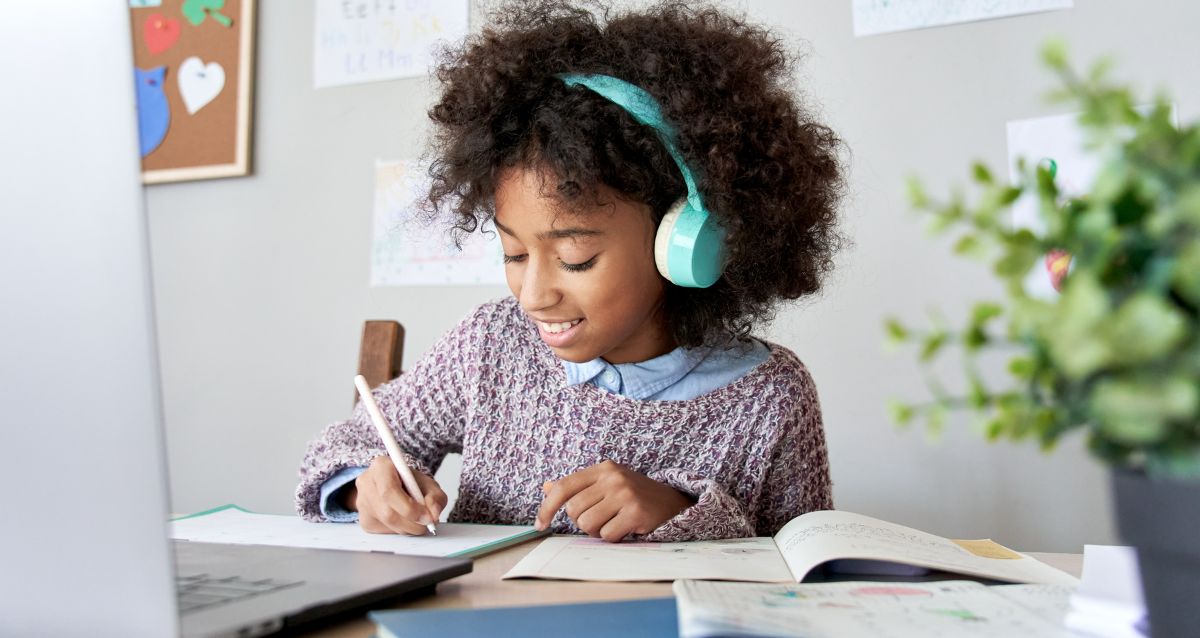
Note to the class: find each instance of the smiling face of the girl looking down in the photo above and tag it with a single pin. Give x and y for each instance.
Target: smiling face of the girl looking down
(589, 279)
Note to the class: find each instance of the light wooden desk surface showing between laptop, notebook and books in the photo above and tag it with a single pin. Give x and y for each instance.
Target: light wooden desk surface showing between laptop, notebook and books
(484, 588)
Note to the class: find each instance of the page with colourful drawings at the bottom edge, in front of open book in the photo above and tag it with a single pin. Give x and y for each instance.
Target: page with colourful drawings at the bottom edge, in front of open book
(944, 610)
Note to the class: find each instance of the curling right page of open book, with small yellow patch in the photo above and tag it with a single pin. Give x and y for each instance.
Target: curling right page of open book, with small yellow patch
(815, 538)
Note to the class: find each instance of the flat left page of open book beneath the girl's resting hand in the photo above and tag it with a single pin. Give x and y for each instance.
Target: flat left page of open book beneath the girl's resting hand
(580, 558)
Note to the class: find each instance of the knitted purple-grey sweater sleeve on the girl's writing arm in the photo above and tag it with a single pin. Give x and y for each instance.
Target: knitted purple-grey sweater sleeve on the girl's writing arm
(427, 408)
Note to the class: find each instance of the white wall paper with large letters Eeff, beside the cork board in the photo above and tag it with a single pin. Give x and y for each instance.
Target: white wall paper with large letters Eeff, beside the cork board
(358, 41)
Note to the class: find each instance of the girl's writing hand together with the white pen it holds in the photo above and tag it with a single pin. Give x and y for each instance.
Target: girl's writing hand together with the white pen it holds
(389, 497)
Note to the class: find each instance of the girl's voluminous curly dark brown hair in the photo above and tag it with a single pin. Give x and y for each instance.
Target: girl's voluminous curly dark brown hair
(766, 168)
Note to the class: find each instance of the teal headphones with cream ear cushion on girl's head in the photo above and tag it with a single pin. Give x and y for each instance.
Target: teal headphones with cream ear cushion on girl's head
(689, 246)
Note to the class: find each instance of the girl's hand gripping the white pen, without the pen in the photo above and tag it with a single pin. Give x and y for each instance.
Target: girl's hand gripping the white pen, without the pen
(385, 505)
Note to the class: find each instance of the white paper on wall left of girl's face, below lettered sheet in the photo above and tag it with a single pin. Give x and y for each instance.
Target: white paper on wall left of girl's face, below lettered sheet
(406, 251)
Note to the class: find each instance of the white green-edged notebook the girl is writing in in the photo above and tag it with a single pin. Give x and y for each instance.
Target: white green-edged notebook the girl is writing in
(232, 525)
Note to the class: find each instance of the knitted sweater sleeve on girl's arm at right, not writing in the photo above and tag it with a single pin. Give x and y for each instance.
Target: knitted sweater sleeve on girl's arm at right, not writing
(796, 481)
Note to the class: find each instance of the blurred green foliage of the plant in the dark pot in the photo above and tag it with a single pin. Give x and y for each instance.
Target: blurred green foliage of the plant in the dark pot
(1118, 353)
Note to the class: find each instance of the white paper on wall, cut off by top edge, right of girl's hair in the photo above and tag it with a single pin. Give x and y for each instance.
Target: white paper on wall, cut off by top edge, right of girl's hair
(874, 17)
